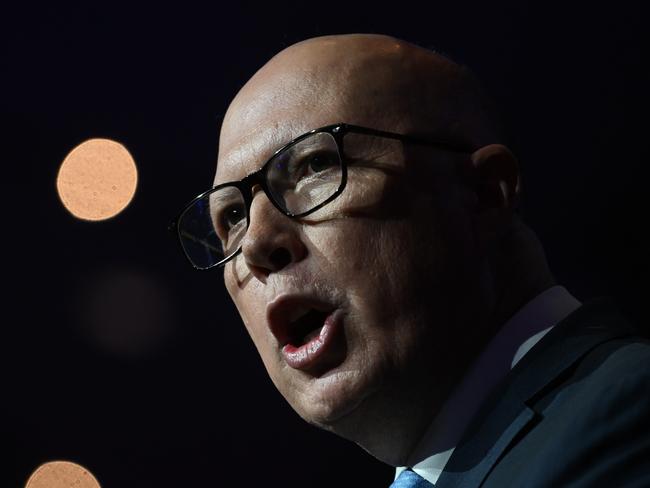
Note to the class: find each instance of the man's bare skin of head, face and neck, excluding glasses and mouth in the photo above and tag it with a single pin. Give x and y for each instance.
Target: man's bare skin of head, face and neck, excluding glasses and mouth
(422, 252)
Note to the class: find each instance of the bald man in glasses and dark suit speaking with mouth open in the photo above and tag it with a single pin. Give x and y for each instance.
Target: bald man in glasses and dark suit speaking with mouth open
(365, 215)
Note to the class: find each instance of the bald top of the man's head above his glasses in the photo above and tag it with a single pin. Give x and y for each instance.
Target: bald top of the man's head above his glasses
(372, 80)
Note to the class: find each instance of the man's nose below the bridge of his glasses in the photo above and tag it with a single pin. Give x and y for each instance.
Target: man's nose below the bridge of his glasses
(272, 242)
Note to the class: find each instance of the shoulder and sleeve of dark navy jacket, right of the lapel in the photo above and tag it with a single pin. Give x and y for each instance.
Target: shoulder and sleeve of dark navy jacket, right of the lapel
(593, 425)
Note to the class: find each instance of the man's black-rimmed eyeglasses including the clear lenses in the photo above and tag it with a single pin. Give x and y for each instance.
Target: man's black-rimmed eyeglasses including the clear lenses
(299, 178)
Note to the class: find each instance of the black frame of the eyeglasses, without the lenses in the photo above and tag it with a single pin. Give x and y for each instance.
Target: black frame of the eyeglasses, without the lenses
(338, 132)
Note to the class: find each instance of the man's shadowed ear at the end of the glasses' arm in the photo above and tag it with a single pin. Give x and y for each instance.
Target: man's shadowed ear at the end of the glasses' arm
(497, 177)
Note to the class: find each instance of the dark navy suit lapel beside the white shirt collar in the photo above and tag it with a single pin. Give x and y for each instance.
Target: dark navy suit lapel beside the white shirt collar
(510, 412)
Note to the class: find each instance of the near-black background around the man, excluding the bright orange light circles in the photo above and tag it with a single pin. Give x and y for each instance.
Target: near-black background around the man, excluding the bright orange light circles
(117, 355)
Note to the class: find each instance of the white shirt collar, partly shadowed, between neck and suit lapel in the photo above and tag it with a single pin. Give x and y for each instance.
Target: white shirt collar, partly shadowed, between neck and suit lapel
(513, 340)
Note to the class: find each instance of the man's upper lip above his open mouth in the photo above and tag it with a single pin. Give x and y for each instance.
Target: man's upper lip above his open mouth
(286, 309)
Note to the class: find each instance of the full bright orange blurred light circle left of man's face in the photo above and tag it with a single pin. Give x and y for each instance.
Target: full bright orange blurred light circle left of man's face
(97, 179)
